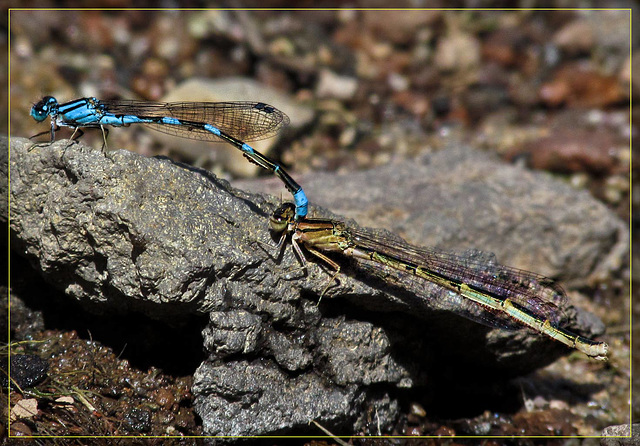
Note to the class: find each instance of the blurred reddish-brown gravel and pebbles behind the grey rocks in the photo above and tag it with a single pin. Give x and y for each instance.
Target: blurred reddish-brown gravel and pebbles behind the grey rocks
(550, 88)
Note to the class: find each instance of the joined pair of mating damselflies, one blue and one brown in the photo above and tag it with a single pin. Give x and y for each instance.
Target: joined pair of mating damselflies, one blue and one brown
(503, 293)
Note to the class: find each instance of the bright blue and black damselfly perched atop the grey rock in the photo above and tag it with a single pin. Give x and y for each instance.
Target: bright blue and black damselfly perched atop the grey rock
(233, 122)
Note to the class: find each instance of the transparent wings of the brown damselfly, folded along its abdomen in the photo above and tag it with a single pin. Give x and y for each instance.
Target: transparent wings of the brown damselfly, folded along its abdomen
(537, 294)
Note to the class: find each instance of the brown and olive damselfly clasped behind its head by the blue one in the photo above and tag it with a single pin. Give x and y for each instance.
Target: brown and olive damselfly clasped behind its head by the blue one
(498, 292)
